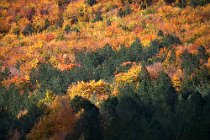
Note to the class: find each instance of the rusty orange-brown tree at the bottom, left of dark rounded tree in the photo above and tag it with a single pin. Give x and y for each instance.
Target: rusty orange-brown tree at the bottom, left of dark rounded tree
(60, 121)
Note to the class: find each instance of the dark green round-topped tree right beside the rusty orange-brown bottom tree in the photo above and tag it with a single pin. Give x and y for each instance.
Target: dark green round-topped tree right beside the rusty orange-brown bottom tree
(89, 125)
